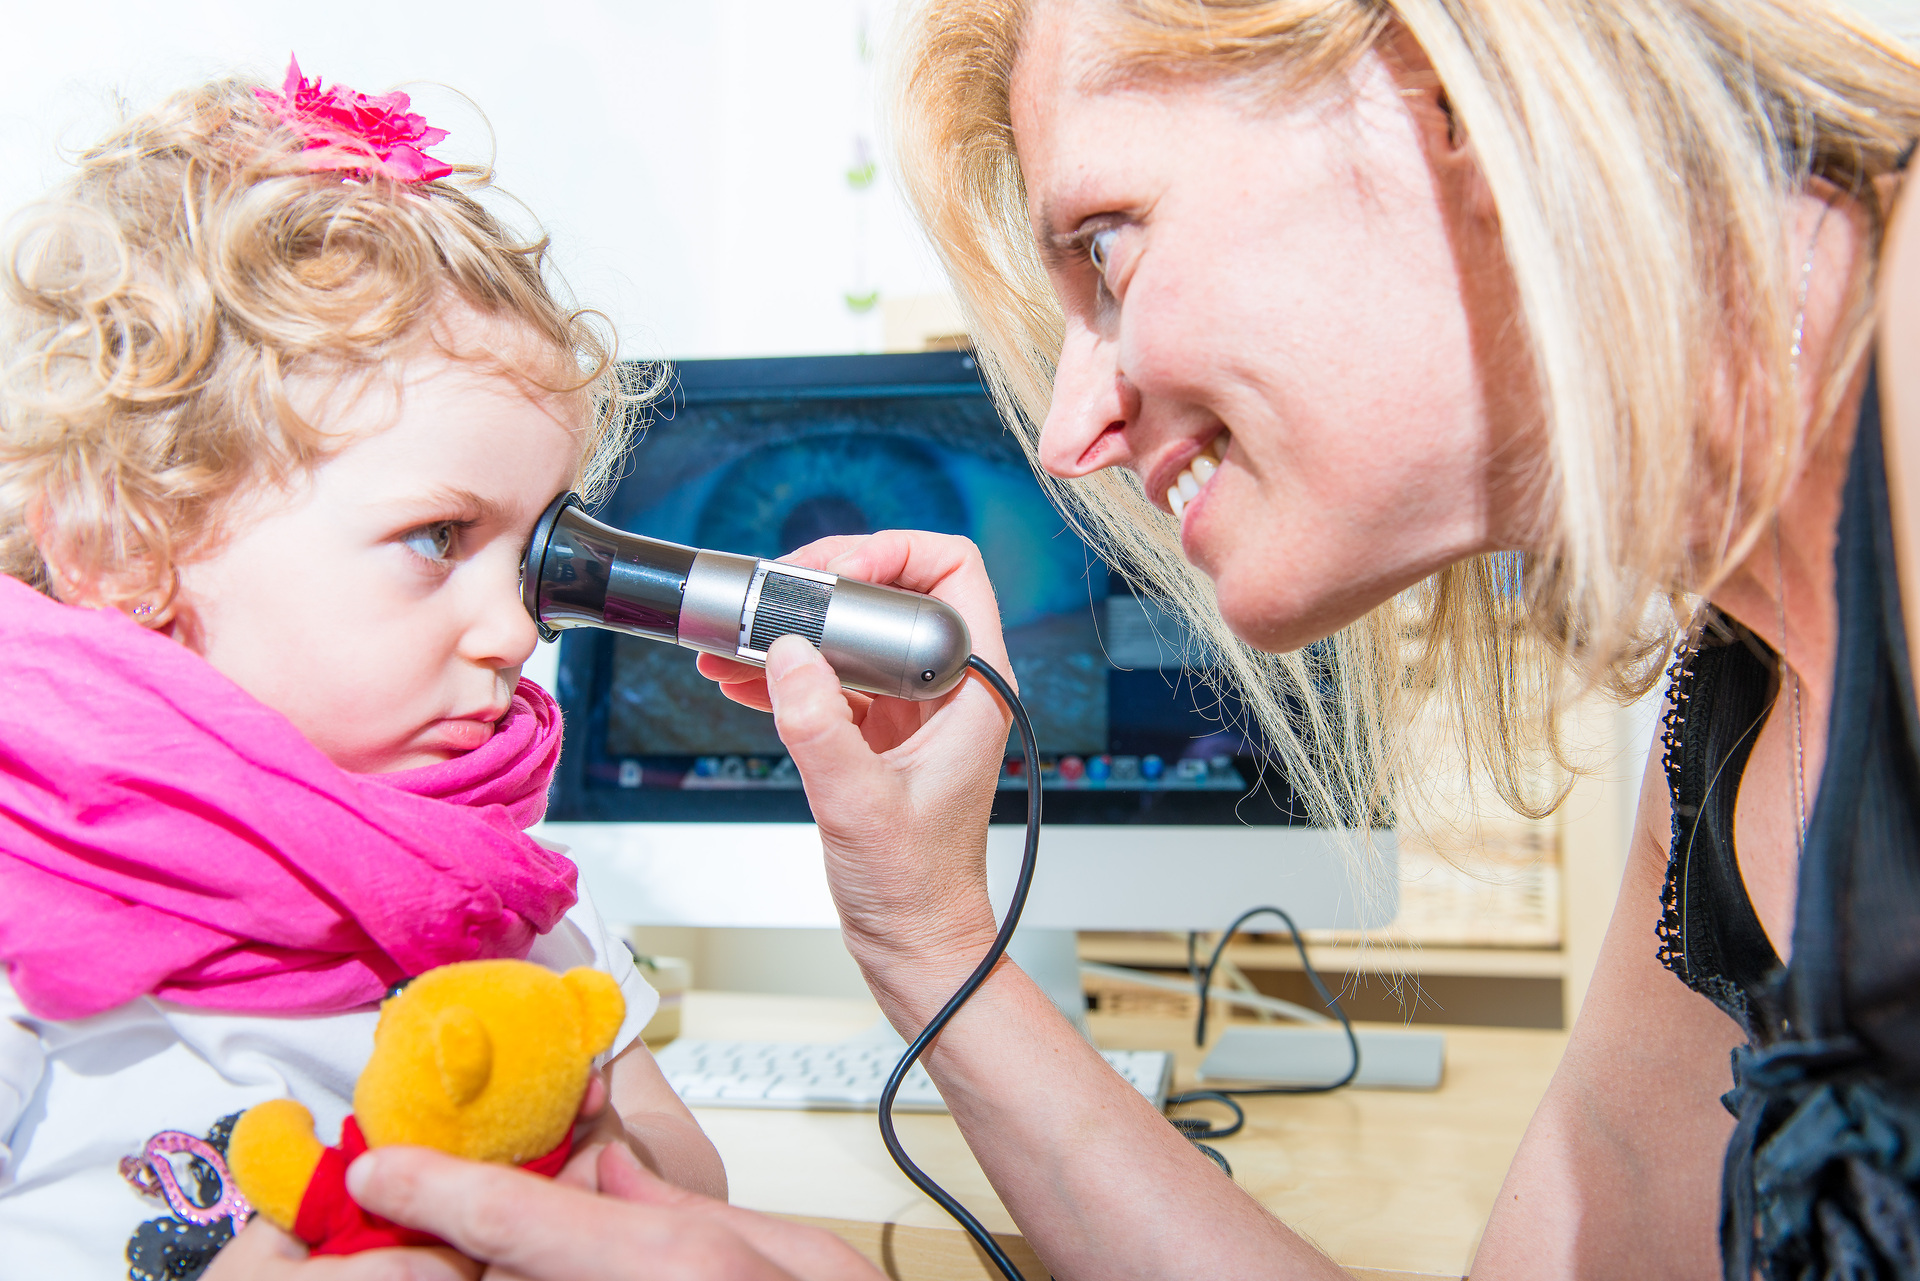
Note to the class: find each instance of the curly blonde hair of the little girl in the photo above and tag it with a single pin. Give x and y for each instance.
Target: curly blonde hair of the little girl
(162, 297)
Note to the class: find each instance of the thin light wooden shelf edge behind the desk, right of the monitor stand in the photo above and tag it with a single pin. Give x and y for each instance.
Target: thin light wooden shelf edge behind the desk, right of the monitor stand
(1151, 954)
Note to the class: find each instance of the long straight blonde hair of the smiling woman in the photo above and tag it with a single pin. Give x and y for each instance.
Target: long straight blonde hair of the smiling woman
(1643, 157)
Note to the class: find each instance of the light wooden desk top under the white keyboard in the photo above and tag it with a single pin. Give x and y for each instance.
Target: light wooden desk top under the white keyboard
(1393, 1186)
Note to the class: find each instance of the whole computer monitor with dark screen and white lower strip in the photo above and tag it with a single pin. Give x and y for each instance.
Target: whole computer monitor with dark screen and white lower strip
(683, 808)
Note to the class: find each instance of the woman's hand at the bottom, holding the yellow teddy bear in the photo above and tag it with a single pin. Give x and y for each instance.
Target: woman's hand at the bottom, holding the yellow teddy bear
(542, 1230)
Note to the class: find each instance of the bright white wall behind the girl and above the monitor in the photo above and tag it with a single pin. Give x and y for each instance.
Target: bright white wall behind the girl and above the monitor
(690, 158)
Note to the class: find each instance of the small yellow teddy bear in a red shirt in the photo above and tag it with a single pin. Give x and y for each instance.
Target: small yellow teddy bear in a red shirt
(483, 1059)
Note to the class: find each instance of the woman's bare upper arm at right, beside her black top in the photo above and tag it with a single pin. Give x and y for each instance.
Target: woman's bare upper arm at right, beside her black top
(1620, 1172)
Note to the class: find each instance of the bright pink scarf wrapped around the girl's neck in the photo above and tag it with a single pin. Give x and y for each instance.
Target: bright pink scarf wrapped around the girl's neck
(164, 833)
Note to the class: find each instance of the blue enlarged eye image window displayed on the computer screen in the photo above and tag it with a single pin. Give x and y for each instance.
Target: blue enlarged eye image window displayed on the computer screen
(763, 479)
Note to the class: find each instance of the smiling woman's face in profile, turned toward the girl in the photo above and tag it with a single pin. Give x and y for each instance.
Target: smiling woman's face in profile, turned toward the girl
(1293, 318)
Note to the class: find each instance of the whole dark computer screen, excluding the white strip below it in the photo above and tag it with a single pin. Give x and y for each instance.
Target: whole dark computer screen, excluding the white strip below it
(763, 471)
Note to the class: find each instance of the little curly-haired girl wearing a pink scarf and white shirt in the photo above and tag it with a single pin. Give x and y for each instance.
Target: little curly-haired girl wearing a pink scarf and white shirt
(281, 404)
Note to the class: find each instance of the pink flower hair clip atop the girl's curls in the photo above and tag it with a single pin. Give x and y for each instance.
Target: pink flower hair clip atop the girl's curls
(354, 133)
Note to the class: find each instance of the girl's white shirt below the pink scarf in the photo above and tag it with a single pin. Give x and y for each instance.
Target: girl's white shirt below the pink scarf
(80, 1096)
